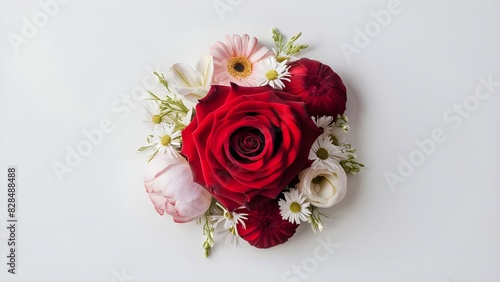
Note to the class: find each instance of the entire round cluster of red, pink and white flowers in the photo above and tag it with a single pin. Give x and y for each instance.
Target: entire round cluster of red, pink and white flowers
(250, 143)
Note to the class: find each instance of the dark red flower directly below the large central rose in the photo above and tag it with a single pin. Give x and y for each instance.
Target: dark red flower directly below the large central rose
(265, 228)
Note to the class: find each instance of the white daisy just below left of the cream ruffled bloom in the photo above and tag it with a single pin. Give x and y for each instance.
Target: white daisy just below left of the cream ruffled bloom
(294, 207)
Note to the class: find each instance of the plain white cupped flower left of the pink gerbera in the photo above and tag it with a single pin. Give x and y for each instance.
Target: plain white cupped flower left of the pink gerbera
(193, 84)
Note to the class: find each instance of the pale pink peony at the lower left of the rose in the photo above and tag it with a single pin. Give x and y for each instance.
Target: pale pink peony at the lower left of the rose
(169, 182)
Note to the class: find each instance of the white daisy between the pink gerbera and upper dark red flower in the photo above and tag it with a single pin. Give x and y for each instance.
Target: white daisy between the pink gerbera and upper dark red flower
(273, 73)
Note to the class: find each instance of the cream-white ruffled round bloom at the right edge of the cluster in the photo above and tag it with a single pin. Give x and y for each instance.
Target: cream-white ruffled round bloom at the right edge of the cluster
(323, 188)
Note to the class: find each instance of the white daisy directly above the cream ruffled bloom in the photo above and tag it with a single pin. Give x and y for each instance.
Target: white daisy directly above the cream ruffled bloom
(324, 154)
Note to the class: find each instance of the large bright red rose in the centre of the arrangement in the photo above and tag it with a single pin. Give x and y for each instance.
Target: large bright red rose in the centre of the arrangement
(245, 144)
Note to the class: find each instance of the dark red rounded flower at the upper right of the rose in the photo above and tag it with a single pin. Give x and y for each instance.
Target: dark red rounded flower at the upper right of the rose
(318, 86)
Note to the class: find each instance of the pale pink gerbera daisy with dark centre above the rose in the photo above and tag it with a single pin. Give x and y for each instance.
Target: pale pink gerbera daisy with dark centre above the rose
(234, 61)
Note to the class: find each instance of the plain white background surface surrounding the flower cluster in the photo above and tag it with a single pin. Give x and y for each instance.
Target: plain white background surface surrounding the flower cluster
(441, 224)
